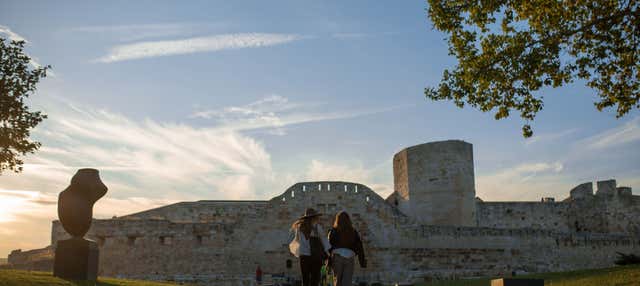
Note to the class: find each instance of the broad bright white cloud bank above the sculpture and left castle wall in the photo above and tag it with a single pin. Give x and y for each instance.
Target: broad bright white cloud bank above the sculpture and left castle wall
(136, 156)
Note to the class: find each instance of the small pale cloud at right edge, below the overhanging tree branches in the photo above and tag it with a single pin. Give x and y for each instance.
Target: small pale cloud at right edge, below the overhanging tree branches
(623, 134)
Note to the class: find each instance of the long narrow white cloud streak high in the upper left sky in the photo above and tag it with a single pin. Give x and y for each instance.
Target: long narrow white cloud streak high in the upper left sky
(150, 49)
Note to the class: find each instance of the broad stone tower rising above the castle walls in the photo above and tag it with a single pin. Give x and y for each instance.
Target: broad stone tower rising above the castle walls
(434, 183)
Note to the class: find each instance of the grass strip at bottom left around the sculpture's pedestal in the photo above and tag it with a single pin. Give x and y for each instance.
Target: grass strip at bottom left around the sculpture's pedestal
(35, 278)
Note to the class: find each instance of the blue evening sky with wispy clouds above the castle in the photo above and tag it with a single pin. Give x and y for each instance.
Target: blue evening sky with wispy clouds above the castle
(239, 100)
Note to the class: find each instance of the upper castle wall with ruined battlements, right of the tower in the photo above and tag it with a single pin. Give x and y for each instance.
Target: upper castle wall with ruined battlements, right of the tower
(610, 210)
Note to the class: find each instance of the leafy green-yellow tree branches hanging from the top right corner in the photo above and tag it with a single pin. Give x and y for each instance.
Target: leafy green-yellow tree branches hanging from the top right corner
(509, 49)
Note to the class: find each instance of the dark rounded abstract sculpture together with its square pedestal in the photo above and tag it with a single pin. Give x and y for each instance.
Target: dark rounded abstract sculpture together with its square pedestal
(77, 258)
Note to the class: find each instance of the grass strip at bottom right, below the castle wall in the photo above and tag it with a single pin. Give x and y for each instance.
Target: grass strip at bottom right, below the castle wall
(618, 276)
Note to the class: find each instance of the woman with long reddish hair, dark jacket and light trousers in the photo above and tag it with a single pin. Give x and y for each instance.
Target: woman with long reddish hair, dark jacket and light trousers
(345, 244)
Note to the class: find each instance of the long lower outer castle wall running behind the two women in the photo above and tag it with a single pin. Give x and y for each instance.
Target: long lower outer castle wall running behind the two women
(413, 252)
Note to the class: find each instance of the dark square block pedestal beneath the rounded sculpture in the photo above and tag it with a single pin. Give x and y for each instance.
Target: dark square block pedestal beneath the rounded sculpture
(76, 259)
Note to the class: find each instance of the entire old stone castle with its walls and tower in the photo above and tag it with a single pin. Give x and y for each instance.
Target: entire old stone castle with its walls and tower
(431, 227)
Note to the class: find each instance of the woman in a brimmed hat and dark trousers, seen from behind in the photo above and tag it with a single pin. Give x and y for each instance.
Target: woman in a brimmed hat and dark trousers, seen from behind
(310, 245)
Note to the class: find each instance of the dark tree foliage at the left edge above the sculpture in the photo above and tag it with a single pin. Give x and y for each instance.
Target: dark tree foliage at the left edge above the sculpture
(18, 80)
